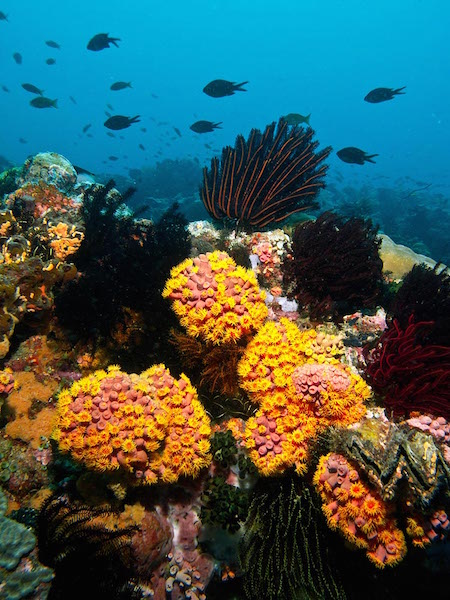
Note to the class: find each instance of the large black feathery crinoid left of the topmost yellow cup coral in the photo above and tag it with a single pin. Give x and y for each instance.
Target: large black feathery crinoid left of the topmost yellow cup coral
(123, 263)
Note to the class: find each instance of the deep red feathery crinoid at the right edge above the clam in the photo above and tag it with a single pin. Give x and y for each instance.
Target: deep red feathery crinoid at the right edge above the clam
(412, 375)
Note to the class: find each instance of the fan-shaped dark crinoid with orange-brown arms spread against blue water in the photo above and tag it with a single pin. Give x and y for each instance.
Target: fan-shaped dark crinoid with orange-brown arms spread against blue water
(265, 178)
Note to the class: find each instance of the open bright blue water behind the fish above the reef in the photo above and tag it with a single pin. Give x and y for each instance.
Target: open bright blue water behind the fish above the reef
(316, 57)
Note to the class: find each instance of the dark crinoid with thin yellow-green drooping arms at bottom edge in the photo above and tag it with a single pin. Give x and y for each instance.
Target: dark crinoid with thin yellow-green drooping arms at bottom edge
(284, 552)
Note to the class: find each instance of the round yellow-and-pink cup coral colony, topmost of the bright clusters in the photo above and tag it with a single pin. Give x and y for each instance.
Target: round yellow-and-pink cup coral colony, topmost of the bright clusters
(215, 299)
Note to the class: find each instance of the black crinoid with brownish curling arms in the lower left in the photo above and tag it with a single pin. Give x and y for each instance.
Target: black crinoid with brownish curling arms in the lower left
(90, 560)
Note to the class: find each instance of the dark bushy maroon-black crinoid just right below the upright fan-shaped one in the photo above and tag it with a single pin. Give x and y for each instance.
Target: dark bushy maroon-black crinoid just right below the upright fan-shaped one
(335, 267)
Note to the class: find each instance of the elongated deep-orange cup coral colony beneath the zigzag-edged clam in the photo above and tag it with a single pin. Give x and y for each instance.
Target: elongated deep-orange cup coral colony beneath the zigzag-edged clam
(357, 512)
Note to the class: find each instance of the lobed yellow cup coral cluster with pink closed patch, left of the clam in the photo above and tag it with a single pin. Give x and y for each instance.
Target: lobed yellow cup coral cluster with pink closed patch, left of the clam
(300, 390)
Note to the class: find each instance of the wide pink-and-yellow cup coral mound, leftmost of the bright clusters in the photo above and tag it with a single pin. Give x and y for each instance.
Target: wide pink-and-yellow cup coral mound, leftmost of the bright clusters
(150, 425)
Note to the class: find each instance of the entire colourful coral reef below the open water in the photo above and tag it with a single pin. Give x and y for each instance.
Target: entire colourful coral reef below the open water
(138, 486)
